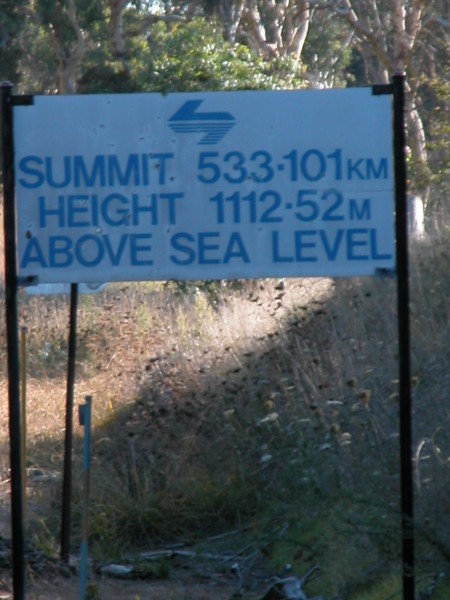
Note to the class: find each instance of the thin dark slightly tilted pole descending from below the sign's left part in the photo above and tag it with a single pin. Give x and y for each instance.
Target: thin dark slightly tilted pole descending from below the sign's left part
(68, 440)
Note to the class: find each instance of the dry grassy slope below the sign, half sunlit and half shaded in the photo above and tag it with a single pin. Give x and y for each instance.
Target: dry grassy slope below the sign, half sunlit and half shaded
(274, 412)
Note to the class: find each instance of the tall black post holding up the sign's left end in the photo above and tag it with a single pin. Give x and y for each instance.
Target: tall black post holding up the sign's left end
(12, 334)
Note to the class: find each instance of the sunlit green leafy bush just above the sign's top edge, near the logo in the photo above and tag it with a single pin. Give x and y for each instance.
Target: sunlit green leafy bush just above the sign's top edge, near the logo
(190, 56)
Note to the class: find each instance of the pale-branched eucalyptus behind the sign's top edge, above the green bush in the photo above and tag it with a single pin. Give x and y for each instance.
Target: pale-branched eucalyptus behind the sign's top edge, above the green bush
(299, 30)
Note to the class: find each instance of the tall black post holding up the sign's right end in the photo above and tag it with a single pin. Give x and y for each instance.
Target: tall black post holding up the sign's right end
(406, 454)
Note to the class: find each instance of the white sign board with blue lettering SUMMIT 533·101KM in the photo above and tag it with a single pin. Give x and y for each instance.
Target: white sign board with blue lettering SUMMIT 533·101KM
(204, 186)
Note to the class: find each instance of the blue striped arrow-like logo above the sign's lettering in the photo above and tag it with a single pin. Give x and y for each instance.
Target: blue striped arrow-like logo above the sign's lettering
(213, 124)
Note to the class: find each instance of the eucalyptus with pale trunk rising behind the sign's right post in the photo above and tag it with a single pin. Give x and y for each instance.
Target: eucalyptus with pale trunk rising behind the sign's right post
(400, 36)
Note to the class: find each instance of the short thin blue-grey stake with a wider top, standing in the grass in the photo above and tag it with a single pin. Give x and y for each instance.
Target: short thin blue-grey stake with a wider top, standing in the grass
(85, 421)
